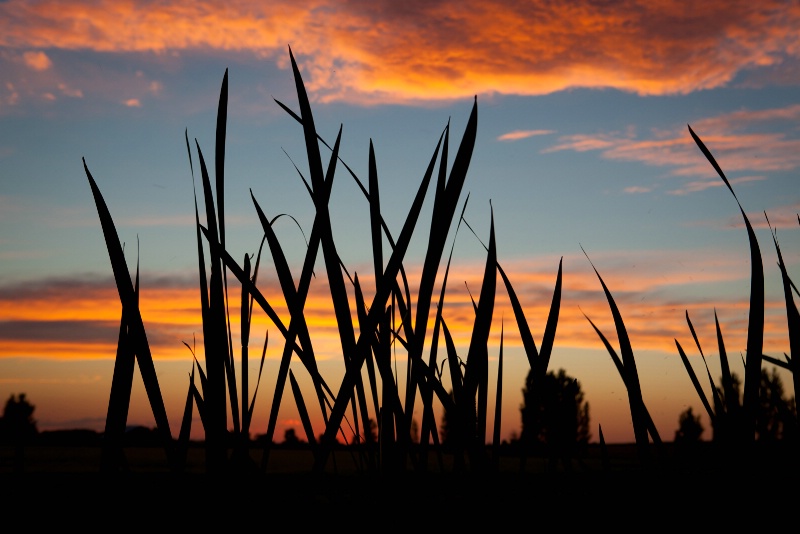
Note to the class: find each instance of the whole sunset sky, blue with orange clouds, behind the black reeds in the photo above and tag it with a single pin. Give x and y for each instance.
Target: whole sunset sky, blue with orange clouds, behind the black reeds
(582, 143)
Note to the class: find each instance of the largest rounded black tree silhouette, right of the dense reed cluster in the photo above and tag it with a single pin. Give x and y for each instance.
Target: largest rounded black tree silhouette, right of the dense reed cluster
(555, 418)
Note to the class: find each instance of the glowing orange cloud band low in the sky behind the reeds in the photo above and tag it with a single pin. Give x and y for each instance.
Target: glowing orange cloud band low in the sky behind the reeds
(172, 317)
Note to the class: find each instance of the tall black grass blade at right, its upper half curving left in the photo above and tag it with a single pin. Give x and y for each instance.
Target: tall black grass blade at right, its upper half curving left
(755, 327)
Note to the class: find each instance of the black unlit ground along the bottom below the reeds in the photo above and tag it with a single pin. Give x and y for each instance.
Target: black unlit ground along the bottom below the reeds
(62, 486)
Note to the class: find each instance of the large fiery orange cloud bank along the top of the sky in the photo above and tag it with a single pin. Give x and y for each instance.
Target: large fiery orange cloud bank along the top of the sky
(370, 51)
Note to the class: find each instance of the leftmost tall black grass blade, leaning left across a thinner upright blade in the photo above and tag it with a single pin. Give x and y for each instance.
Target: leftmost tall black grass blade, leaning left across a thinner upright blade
(132, 316)
